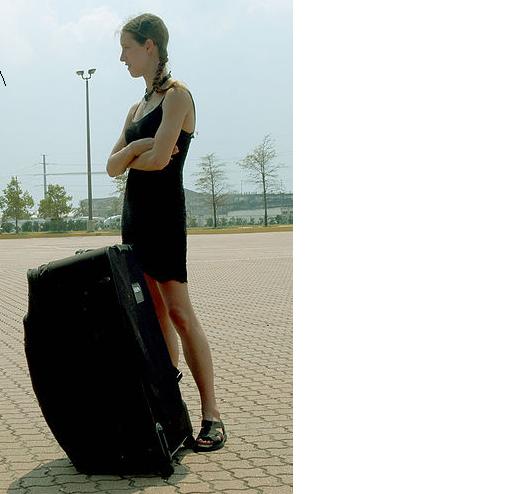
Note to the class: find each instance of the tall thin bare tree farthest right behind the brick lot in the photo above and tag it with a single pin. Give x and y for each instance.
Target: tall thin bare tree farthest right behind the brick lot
(262, 170)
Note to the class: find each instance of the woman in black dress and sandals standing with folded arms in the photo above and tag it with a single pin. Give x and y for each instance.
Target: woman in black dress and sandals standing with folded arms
(152, 147)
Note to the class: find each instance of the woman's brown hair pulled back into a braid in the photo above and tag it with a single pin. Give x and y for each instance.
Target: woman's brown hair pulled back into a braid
(149, 26)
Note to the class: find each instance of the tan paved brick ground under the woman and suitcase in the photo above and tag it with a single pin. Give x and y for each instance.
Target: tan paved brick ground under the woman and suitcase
(241, 286)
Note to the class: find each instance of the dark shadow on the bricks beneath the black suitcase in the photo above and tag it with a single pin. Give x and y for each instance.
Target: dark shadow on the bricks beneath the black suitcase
(60, 476)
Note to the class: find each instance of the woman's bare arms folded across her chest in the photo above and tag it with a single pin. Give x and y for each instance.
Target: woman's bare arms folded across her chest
(150, 154)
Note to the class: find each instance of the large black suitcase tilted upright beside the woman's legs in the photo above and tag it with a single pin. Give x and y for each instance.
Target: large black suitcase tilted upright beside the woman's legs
(99, 365)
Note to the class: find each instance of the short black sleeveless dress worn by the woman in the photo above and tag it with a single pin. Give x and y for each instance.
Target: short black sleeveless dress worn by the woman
(154, 214)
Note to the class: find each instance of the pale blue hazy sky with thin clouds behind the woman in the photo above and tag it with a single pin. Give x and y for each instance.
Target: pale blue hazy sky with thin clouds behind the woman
(234, 55)
